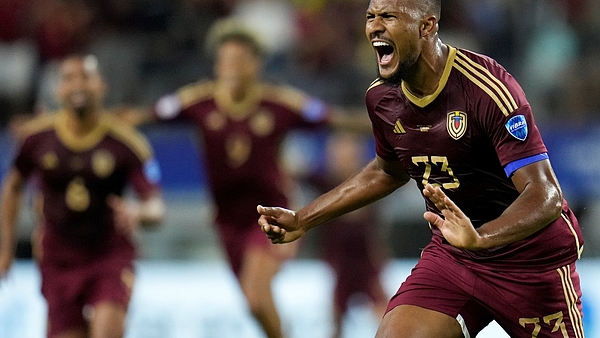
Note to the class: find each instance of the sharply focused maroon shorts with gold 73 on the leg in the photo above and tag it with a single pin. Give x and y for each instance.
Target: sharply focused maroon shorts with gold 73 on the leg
(533, 303)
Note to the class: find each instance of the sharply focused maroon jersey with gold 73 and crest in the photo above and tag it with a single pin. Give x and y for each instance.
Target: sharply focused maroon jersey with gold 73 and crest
(469, 137)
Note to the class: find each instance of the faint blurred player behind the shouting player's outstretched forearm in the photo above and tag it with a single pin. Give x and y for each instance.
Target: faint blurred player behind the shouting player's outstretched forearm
(351, 244)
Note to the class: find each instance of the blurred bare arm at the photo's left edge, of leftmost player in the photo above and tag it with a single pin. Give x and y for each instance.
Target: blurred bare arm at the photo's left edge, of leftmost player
(12, 192)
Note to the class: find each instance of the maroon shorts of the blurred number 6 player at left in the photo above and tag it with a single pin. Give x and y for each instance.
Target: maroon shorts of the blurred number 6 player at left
(68, 290)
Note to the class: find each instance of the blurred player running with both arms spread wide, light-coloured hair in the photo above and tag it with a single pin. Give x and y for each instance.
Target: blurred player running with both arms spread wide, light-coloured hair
(242, 122)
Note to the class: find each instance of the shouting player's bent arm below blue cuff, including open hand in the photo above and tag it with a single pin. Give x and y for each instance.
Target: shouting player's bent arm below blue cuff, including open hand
(538, 204)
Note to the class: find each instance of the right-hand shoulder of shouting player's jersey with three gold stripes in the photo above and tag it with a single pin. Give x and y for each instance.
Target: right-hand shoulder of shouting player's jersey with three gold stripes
(489, 80)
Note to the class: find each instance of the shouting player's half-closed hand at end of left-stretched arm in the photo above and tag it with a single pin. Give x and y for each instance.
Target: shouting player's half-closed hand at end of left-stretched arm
(279, 224)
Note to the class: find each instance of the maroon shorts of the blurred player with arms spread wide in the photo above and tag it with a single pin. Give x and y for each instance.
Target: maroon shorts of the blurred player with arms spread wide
(238, 240)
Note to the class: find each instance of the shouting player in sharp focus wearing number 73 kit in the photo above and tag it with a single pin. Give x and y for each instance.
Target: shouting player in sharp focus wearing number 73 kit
(504, 241)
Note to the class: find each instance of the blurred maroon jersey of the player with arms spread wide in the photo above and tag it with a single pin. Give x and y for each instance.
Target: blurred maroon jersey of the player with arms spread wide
(241, 140)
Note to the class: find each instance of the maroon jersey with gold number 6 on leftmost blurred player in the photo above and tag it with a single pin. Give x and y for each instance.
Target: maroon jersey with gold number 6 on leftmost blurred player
(76, 176)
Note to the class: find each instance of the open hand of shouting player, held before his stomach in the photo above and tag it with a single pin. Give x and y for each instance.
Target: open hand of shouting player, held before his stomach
(455, 226)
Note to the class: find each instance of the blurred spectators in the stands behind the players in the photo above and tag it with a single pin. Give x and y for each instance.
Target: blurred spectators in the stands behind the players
(150, 47)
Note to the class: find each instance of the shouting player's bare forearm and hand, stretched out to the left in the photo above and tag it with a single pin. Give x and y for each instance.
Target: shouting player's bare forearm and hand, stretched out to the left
(376, 180)
